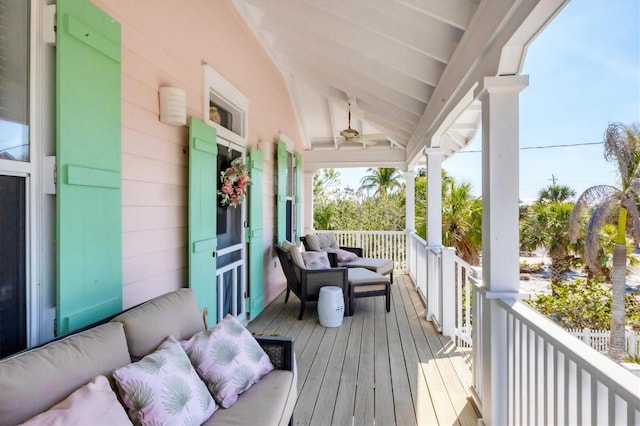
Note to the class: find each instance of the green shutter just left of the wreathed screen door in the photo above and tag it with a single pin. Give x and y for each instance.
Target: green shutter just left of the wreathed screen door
(203, 175)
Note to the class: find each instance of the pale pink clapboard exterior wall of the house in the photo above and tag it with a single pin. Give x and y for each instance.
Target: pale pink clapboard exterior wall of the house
(165, 43)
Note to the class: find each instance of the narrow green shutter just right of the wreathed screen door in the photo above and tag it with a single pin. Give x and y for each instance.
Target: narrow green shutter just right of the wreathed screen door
(255, 236)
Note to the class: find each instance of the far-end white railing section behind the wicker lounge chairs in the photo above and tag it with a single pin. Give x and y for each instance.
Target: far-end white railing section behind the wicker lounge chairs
(378, 244)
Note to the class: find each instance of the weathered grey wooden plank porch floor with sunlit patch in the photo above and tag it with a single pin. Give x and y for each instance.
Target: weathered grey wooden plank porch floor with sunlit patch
(377, 368)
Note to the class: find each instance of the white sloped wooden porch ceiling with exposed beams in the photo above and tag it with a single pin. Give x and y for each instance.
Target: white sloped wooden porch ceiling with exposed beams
(409, 68)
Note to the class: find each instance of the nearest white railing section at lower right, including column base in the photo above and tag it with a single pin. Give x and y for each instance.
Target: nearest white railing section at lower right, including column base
(530, 372)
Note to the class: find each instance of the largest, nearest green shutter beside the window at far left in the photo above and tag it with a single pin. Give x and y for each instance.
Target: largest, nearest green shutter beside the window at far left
(88, 129)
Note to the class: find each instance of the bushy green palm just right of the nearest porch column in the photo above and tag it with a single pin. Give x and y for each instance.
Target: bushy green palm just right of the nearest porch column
(546, 223)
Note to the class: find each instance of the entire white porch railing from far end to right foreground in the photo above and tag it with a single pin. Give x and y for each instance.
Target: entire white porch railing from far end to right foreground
(526, 368)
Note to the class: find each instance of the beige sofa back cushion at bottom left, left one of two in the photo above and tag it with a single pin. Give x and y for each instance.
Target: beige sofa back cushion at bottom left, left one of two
(58, 369)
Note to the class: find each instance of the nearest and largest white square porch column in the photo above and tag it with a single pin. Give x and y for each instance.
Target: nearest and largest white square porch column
(500, 236)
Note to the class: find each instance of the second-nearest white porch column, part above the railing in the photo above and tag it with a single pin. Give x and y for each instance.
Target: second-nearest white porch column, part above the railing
(434, 196)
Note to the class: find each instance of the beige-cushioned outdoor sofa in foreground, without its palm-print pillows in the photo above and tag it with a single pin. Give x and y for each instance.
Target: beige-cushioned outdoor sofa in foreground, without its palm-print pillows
(34, 381)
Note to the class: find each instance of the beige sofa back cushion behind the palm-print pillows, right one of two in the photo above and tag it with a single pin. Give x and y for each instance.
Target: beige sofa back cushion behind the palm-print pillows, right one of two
(148, 325)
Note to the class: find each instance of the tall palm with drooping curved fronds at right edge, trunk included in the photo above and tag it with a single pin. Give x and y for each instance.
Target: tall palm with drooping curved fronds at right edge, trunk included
(605, 203)
